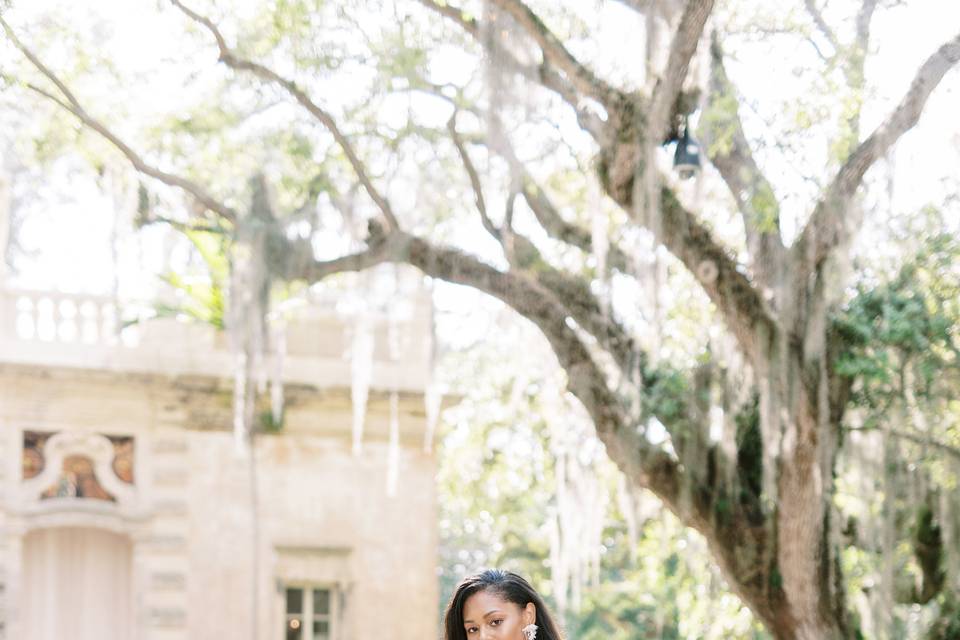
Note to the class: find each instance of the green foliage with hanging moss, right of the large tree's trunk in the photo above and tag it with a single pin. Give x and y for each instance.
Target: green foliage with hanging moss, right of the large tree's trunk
(898, 341)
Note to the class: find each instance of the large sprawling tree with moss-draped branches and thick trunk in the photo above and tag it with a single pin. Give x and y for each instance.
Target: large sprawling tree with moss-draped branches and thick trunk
(763, 500)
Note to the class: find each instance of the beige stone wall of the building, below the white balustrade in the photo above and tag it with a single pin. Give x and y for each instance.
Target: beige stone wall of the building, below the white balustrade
(324, 515)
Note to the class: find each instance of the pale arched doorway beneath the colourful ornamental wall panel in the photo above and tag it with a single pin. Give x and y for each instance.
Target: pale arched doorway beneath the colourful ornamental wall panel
(77, 584)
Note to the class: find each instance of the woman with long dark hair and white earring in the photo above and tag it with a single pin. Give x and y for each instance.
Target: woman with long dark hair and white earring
(498, 605)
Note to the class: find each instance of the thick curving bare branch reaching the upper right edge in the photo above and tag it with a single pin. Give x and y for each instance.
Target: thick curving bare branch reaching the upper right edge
(826, 228)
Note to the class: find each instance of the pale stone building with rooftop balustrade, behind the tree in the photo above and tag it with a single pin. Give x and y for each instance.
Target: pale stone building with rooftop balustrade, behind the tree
(127, 511)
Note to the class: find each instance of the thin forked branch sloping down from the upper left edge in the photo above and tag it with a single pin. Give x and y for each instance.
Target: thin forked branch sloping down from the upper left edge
(71, 104)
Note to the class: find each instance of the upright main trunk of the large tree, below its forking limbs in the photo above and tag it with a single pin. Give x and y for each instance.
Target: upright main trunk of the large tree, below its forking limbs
(799, 424)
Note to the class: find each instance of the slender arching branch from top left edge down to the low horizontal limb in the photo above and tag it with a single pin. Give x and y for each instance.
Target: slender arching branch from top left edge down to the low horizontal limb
(264, 73)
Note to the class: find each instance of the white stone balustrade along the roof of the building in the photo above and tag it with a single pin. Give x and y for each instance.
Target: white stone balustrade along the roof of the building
(90, 332)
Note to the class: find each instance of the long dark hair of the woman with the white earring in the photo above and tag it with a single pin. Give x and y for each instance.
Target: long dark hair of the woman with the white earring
(506, 585)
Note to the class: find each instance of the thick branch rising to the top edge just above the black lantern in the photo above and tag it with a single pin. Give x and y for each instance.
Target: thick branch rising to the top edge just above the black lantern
(682, 48)
